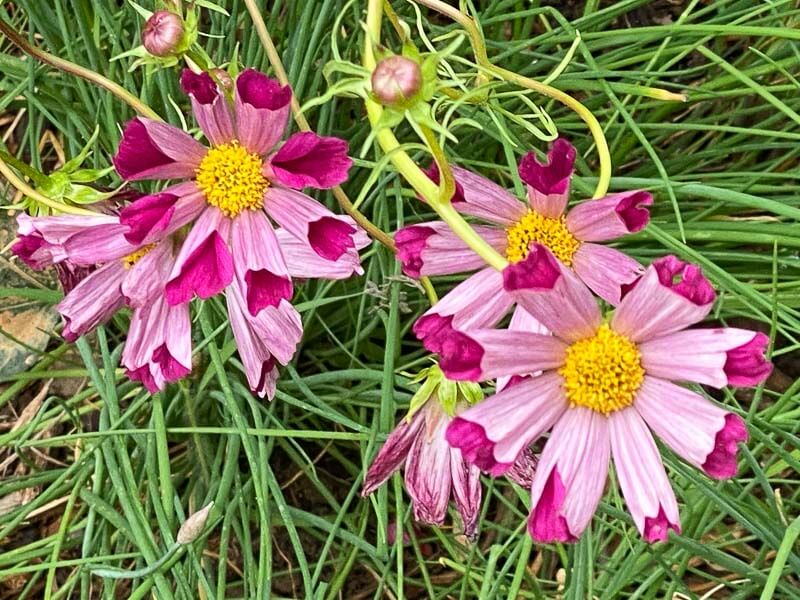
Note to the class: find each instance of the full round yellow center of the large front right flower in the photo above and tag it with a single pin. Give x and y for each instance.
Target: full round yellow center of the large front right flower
(602, 372)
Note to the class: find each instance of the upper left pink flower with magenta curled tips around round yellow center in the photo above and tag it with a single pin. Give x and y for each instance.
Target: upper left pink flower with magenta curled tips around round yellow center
(229, 196)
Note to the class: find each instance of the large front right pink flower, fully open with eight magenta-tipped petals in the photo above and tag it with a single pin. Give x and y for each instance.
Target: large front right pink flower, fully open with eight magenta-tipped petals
(605, 386)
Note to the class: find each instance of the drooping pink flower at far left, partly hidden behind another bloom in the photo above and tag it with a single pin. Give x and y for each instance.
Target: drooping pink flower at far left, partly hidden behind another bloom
(158, 347)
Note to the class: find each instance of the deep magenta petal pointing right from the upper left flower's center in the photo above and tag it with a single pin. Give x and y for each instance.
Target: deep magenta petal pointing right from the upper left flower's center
(309, 160)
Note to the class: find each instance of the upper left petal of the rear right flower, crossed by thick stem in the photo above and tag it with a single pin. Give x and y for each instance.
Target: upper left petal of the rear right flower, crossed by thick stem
(482, 198)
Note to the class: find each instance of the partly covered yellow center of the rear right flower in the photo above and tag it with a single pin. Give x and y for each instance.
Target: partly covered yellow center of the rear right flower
(552, 233)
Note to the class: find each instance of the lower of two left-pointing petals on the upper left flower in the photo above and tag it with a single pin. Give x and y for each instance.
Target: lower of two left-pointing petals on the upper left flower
(152, 217)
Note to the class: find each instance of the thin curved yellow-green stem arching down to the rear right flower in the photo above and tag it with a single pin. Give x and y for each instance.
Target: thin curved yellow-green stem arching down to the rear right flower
(479, 48)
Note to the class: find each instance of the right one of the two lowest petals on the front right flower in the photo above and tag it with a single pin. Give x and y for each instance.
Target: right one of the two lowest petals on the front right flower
(641, 476)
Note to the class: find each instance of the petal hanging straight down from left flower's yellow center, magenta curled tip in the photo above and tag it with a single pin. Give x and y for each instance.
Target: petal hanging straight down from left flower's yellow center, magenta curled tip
(259, 262)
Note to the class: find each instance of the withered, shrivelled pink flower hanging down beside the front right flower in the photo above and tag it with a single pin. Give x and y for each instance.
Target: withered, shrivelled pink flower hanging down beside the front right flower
(432, 469)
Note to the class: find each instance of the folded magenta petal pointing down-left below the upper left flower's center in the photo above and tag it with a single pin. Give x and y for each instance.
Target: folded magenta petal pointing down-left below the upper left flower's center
(204, 266)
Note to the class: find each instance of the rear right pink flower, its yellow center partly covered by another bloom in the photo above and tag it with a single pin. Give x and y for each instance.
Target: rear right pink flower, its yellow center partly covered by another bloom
(481, 301)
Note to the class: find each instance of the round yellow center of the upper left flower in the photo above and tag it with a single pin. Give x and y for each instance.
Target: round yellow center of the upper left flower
(230, 178)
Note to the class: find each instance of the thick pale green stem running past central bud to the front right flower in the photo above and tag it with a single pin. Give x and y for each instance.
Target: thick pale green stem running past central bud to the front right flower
(410, 170)
